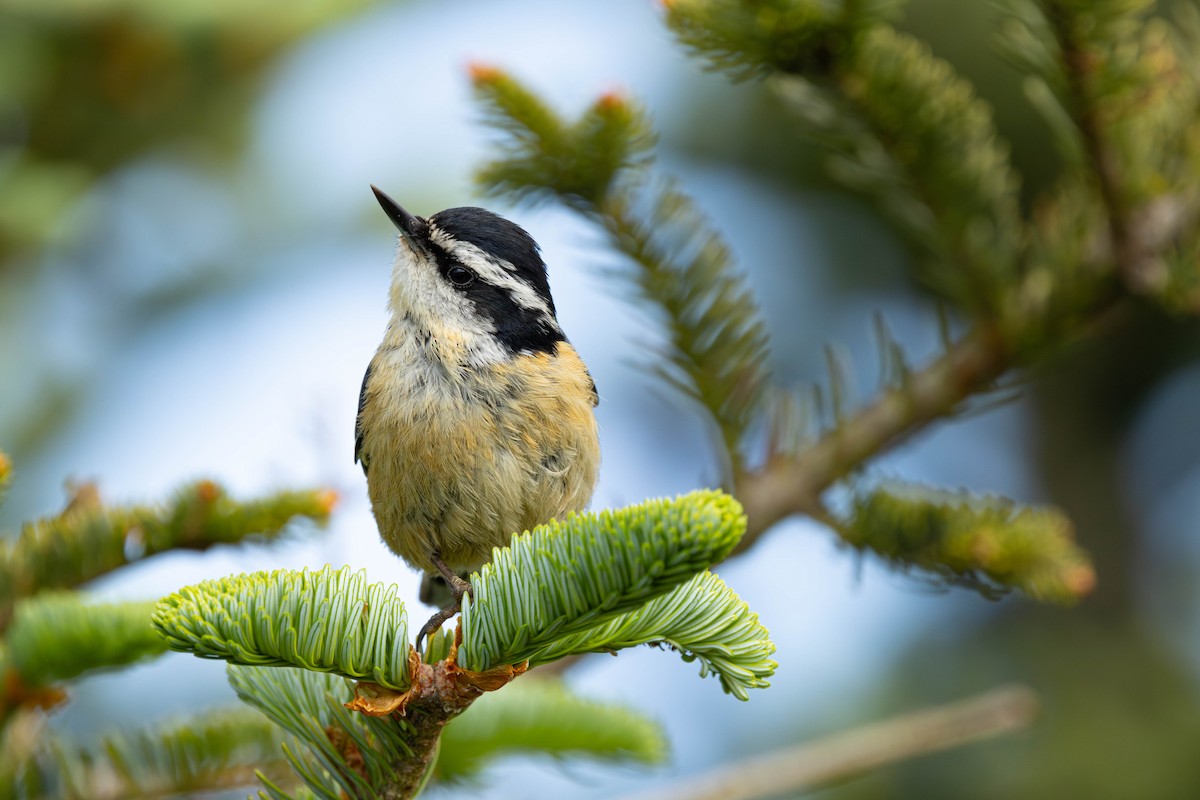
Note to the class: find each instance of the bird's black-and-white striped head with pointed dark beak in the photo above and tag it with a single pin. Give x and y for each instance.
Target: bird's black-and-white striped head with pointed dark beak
(475, 276)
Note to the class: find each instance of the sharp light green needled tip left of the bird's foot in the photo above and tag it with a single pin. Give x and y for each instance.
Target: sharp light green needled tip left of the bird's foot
(329, 621)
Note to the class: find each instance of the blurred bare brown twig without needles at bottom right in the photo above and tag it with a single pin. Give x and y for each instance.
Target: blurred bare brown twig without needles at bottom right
(854, 753)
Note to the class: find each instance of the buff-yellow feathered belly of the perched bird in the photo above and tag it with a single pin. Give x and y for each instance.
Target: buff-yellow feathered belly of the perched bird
(459, 474)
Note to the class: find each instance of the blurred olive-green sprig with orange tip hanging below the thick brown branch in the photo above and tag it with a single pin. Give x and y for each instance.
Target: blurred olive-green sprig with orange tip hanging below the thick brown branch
(988, 543)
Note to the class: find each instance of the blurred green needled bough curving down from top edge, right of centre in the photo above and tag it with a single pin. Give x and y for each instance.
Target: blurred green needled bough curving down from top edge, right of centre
(905, 128)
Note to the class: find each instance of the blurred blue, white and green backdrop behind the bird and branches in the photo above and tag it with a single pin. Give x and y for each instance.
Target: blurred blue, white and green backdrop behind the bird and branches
(194, 275)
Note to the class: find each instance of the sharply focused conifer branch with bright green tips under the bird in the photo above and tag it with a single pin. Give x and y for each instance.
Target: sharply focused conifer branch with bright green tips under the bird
(599, 581)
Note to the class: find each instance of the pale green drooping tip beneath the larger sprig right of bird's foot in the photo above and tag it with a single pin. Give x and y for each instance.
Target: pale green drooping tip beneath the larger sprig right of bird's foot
(704, 621)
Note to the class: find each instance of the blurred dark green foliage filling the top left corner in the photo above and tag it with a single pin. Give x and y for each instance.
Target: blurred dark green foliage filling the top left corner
(88, 87)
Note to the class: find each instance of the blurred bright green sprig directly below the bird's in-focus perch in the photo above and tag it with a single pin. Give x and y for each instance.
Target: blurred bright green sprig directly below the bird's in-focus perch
(543, 717)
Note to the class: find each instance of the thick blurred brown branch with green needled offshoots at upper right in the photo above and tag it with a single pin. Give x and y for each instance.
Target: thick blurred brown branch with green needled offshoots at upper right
(919, 139)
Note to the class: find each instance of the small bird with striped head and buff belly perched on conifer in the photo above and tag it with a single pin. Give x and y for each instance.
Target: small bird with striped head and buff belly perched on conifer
(477, 416)
